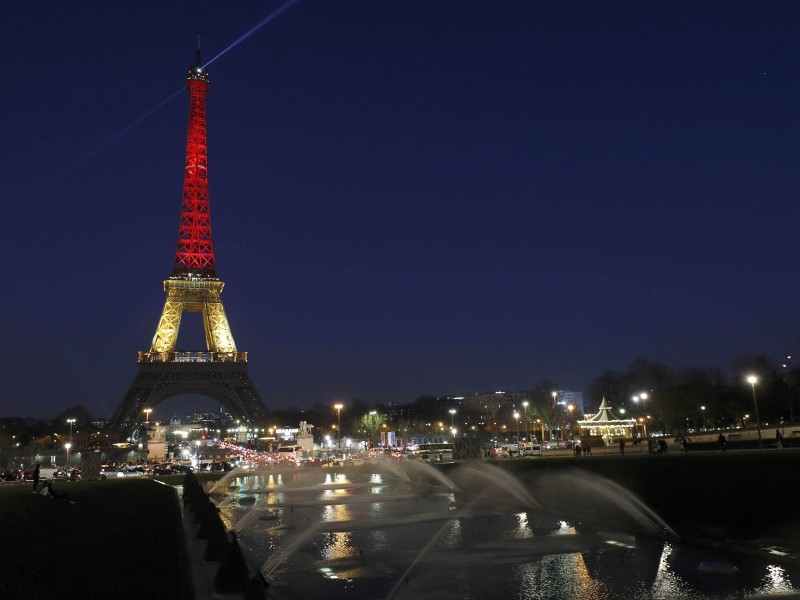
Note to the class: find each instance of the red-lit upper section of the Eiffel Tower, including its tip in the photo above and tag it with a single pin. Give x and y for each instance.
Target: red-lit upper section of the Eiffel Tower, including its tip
(195, 254)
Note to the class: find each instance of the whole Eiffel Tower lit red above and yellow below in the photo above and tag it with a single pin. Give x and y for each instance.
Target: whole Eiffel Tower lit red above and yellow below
(220, 371)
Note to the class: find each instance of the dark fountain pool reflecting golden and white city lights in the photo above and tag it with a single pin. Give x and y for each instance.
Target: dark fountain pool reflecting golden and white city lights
(381, 534)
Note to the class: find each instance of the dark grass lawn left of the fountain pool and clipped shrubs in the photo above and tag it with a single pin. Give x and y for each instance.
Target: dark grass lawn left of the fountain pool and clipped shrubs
(118, 540)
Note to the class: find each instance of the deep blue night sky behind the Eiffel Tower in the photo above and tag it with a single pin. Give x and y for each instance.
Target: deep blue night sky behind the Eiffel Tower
(407, 197)
